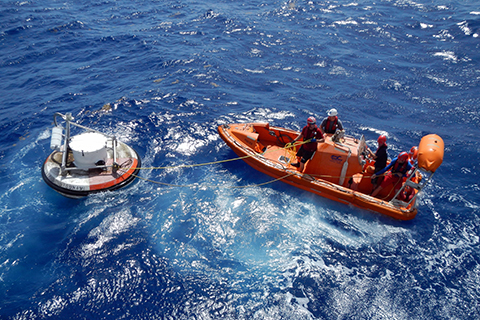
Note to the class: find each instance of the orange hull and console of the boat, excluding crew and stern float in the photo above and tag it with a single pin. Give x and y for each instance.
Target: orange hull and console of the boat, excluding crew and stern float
(263, 146)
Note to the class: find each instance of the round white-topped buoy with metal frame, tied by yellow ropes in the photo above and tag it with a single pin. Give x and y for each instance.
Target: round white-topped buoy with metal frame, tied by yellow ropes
(88, 162)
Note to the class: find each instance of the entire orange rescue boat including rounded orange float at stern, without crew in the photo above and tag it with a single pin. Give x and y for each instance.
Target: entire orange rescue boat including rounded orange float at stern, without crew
(339, 169)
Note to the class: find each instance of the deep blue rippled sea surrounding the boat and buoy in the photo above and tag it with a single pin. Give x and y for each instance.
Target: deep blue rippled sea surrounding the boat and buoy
(162, 75)
